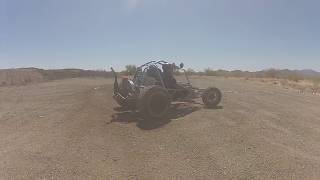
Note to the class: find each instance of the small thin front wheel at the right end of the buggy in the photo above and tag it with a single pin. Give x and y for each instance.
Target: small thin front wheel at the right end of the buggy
(211, 97)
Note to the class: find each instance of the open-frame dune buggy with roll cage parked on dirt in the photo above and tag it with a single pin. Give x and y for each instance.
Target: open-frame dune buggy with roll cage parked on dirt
(154, 87)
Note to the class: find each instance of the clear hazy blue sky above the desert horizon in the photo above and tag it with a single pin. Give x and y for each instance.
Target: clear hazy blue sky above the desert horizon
(97, 34)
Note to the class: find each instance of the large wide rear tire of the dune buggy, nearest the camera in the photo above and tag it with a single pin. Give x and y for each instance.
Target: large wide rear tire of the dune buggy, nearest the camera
(154, 103)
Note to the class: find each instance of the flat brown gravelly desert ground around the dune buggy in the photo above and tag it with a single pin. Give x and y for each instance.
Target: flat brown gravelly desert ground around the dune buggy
(72, 129)
